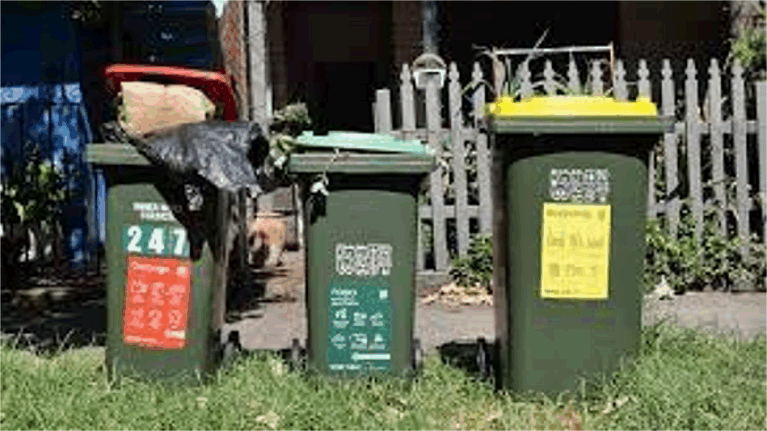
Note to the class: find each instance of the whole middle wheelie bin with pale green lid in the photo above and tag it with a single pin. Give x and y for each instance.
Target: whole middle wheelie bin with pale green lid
(361, 232)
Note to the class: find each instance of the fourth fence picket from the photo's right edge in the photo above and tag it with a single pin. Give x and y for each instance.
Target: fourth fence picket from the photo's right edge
(692, 111)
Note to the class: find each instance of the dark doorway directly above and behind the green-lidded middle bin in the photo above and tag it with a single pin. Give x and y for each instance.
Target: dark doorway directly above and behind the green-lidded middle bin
(339, 53)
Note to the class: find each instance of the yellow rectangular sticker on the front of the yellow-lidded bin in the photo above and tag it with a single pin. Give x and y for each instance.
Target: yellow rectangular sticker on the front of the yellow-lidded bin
(575, 251)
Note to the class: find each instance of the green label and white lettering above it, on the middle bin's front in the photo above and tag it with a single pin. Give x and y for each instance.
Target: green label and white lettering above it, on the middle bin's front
(359, 333)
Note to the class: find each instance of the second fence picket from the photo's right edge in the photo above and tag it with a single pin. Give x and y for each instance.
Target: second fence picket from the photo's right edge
(741, 164)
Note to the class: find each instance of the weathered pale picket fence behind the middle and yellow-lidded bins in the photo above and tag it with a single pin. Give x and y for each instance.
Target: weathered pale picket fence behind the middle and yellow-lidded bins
(718, 128)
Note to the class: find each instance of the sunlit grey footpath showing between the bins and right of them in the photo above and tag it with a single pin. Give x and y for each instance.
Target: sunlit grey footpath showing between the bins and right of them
(274, 325)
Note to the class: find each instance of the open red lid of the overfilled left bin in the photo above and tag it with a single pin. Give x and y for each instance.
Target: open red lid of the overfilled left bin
(215, 85)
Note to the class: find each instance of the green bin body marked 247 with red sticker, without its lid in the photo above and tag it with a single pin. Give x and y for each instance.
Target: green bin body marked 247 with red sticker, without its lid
(166, 269)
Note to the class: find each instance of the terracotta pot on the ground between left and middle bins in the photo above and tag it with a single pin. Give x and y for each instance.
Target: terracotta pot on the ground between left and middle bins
(266, 239)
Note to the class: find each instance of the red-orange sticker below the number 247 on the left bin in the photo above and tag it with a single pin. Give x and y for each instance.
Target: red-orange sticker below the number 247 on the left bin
(157, 302)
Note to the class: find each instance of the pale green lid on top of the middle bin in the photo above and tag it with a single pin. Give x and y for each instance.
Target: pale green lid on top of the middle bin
(367, 142)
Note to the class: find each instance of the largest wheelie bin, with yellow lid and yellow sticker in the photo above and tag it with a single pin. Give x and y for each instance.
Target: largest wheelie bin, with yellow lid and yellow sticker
(569, 179)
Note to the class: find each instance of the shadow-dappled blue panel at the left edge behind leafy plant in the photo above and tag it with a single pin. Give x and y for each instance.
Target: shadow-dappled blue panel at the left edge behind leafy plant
(42, 103)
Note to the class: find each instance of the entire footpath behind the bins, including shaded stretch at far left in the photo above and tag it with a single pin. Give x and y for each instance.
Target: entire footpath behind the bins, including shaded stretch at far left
(81, 319)
